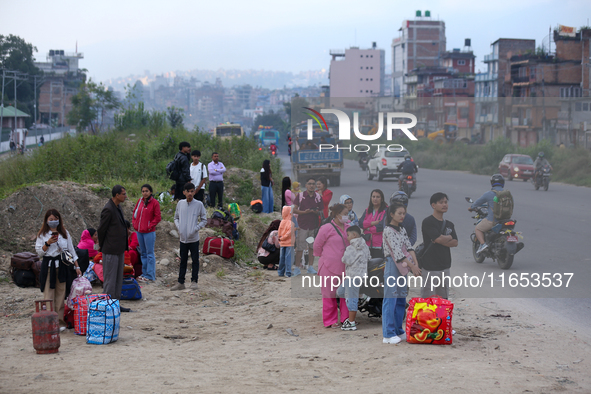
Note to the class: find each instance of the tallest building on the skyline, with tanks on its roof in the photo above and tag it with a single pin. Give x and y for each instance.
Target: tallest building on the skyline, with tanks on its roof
(420, 43)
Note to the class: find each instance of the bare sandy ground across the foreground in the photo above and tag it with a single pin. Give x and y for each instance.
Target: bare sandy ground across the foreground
(232, 336)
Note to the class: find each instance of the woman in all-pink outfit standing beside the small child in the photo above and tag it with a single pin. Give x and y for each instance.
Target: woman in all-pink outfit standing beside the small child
(330, 245)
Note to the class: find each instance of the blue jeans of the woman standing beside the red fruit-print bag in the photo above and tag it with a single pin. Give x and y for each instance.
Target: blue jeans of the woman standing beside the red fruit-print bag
(393, 308)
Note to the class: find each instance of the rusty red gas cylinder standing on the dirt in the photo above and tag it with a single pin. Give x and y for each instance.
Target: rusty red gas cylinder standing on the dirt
(46, 329)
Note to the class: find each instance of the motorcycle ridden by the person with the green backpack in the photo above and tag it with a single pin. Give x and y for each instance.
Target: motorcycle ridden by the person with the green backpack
(502, 239)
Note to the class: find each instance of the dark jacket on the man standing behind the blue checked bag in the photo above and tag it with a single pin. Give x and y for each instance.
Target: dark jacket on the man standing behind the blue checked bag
(112, 230)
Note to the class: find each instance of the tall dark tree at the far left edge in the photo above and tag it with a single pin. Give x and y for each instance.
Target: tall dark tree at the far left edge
(17, 55)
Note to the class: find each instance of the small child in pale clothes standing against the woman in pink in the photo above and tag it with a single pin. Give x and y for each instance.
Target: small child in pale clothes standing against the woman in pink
(355, 259)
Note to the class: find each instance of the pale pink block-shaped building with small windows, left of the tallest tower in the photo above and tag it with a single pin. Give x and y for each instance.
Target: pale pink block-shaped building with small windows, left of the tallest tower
(357, 72)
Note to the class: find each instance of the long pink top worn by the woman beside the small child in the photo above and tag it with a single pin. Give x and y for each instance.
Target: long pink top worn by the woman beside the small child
(330, 247)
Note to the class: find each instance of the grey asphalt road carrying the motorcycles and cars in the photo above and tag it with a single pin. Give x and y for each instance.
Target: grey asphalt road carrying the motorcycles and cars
(555, 226)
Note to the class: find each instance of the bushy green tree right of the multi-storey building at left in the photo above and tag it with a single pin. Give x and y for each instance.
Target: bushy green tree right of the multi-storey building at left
(90, 105)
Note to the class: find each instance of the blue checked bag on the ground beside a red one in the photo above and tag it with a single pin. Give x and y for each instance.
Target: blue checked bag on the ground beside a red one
(102, 326)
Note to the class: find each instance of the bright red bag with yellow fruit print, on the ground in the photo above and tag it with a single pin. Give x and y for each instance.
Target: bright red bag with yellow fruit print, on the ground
(428, 320)
